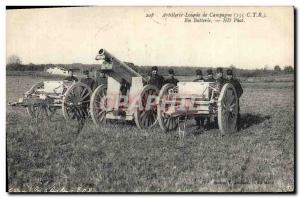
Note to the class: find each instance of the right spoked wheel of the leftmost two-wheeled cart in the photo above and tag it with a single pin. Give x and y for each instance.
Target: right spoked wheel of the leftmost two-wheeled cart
(76, 101)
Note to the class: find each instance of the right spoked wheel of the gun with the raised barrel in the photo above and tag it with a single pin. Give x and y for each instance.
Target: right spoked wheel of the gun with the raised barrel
(145, 116)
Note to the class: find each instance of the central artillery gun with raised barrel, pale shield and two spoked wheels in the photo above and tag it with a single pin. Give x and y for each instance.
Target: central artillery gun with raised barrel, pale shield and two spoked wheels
(125, 97)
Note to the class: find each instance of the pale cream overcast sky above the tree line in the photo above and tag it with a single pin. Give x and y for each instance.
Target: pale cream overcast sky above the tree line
(74, 35)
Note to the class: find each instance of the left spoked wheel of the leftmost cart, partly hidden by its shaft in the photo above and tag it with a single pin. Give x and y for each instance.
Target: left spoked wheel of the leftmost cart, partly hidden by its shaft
(40, 111)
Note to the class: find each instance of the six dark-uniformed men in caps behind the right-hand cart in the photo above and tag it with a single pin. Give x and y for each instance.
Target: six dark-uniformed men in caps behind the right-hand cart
(159, 81)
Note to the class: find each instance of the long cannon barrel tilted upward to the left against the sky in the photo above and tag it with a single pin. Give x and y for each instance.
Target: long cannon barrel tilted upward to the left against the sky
(116, 68)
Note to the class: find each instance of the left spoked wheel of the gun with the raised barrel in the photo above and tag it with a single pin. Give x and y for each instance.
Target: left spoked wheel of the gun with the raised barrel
(98, 105)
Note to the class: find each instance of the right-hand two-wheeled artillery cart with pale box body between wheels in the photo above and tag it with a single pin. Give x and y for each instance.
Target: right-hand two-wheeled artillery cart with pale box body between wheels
(187, 100)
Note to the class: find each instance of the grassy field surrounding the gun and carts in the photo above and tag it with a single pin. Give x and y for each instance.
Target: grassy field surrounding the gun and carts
(57, 157)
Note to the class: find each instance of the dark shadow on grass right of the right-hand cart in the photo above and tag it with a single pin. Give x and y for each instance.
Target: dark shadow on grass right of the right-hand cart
(247, 120)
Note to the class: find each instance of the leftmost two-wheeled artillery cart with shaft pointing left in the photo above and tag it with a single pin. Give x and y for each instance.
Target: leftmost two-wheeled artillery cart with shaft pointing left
(44, 98)
